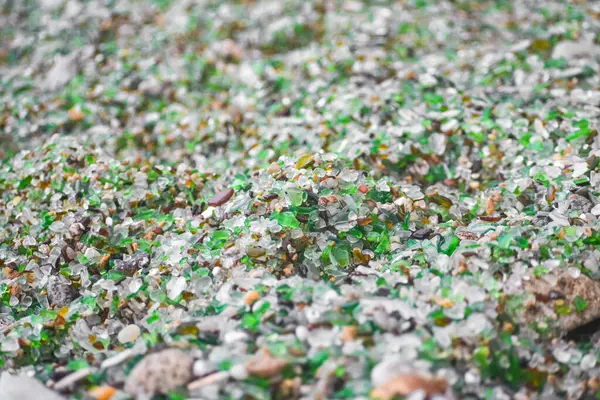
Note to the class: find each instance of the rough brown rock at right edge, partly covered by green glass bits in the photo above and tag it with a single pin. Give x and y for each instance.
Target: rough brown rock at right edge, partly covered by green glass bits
(558, 301)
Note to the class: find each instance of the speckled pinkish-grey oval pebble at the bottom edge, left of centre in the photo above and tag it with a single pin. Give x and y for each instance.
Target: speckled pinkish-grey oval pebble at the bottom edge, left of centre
(160, 373)
